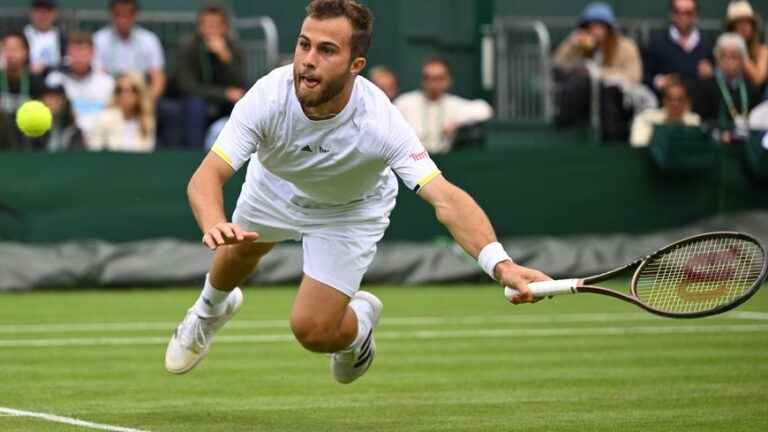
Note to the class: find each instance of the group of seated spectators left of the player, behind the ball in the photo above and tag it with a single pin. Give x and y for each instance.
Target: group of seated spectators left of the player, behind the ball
(109, 90)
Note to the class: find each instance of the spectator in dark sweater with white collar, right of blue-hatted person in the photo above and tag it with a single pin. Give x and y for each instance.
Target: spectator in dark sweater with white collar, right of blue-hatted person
(679, 52)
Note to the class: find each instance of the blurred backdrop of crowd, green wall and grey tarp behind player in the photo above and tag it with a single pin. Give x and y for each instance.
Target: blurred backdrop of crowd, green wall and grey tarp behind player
(591, 133)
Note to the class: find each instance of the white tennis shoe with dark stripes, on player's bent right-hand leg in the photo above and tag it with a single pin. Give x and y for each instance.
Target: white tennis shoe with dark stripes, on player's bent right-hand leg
(351, 365)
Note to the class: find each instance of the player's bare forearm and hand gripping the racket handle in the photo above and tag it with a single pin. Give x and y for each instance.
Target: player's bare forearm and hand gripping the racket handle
(471, 228)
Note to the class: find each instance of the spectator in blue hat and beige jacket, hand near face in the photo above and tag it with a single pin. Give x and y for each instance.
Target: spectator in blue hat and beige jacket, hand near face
(598, 40)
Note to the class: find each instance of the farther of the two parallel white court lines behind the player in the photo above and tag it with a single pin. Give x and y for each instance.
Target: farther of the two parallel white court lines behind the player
(405, 321)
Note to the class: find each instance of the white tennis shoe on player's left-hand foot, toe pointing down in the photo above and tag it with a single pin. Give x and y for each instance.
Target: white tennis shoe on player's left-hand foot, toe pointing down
(192, 338)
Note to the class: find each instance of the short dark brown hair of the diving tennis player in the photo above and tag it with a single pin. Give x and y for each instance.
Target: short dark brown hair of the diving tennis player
(358, 15)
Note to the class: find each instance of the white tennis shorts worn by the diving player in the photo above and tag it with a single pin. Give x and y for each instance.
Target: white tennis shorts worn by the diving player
(338, 247)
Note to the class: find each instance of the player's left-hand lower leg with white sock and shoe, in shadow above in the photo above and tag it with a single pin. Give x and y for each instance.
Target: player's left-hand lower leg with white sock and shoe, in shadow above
(219, 301)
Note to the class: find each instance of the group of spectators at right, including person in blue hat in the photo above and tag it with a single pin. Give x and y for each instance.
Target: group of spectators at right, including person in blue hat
(698, 83)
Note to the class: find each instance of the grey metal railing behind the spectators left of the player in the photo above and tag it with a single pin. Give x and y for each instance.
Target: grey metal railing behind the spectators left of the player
(256, 35)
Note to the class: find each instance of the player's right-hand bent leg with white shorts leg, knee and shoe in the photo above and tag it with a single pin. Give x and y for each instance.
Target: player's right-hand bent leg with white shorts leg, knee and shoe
(330, 314)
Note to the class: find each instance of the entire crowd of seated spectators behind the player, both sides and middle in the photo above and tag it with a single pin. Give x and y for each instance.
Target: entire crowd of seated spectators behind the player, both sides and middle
(110, 90)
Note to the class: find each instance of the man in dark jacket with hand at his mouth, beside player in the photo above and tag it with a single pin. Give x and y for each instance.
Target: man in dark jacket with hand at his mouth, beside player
(210, 74)
